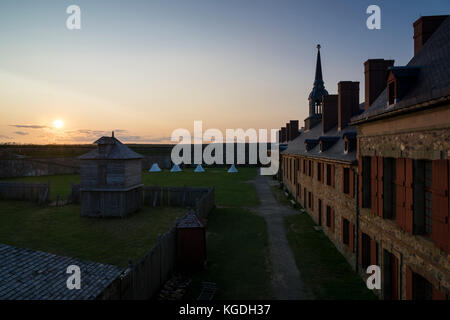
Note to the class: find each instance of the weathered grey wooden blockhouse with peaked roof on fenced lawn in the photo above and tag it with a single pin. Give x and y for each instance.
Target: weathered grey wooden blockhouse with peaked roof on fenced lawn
(111, 180)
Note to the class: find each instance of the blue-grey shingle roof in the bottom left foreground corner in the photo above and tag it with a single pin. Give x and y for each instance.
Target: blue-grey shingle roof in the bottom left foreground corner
(35, 275)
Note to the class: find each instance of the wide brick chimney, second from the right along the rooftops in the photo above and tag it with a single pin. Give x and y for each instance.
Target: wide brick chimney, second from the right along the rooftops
(375, 74)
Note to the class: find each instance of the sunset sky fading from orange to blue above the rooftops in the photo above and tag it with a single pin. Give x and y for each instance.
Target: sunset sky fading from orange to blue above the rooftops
(145, 68)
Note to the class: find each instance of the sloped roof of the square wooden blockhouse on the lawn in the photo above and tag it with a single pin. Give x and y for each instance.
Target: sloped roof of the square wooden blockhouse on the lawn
(114, 150)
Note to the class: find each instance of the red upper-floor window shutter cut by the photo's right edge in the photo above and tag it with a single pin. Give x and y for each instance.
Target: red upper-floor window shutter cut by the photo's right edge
(440, 205)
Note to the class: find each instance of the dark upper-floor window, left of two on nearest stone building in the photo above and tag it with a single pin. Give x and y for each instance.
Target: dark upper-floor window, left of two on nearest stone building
(389, 188)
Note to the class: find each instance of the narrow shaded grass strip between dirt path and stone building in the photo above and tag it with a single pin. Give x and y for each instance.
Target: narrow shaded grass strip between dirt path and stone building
(323, 268)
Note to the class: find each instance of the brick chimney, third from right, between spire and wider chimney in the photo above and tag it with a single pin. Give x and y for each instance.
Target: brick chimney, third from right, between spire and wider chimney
(348, 102)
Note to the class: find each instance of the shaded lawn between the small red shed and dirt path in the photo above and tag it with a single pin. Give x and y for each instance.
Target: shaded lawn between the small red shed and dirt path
(236, 253)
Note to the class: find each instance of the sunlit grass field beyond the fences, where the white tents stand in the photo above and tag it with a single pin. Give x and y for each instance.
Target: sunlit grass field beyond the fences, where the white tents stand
(231, 189)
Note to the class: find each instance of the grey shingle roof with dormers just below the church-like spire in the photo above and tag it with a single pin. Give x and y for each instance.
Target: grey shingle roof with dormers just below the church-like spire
(334, 152)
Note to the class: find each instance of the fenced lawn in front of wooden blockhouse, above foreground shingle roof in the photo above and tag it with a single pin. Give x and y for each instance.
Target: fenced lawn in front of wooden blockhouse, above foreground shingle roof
(61, 230)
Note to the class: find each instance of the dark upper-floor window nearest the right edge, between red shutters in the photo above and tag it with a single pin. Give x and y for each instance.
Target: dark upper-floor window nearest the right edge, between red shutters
(423, 205)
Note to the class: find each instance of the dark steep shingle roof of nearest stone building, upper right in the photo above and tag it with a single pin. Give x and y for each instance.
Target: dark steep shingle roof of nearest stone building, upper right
(433, 79)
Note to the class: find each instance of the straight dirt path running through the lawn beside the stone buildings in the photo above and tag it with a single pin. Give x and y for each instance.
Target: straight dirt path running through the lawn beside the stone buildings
(286, 279)
